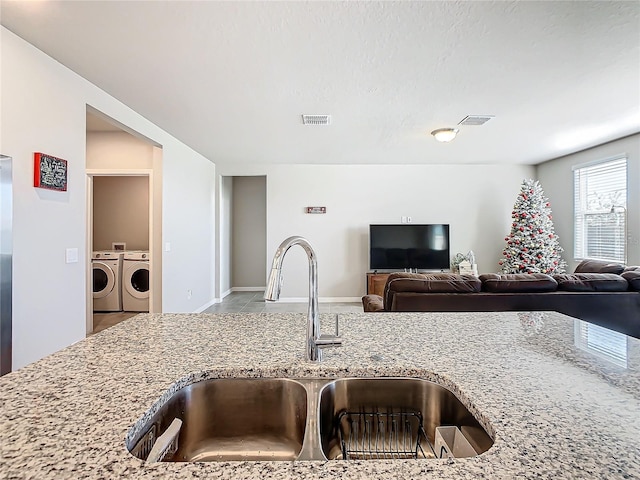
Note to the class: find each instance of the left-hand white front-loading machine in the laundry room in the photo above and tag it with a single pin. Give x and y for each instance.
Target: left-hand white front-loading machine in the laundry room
(107, 274)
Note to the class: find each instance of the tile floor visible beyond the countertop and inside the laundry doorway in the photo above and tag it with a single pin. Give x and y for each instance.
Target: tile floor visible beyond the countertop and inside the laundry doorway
(238, 302)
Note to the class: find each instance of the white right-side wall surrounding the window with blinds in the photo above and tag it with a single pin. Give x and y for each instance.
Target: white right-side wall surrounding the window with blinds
(556, 178)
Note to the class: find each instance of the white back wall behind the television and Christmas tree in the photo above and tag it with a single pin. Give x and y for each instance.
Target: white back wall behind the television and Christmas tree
(475, 200)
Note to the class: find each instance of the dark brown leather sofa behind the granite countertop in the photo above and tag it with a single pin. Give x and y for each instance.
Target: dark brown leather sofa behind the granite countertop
(599, 292)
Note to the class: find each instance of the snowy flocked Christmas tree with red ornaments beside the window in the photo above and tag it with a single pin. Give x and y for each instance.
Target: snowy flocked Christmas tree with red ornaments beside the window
(532, 245)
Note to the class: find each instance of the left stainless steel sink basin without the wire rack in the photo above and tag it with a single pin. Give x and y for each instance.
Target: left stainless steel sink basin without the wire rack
(232, 419)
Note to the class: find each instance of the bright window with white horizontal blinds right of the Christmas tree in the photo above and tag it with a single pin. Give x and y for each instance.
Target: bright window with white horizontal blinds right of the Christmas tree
(600, 202)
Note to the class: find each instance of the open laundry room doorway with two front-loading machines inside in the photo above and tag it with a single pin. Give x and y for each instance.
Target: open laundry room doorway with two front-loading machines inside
(124, 224)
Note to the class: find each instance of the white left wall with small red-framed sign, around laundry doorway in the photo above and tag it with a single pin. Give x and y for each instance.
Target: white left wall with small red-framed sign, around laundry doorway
(43, 109)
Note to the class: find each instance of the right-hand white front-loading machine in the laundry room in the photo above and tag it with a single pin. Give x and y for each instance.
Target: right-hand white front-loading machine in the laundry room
(135, 281)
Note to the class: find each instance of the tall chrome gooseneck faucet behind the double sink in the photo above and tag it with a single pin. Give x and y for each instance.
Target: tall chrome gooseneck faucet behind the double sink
(315, 341)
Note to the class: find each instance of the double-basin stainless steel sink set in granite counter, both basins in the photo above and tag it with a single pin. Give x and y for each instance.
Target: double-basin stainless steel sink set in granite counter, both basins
(267, 419)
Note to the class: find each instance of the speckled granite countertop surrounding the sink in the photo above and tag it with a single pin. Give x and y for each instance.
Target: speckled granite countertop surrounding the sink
(556, 410)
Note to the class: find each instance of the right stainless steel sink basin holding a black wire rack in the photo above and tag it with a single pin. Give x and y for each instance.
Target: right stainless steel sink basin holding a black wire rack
(380, 418)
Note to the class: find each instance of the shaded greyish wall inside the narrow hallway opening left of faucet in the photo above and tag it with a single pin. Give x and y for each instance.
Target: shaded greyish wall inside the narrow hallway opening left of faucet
(249, 232)
